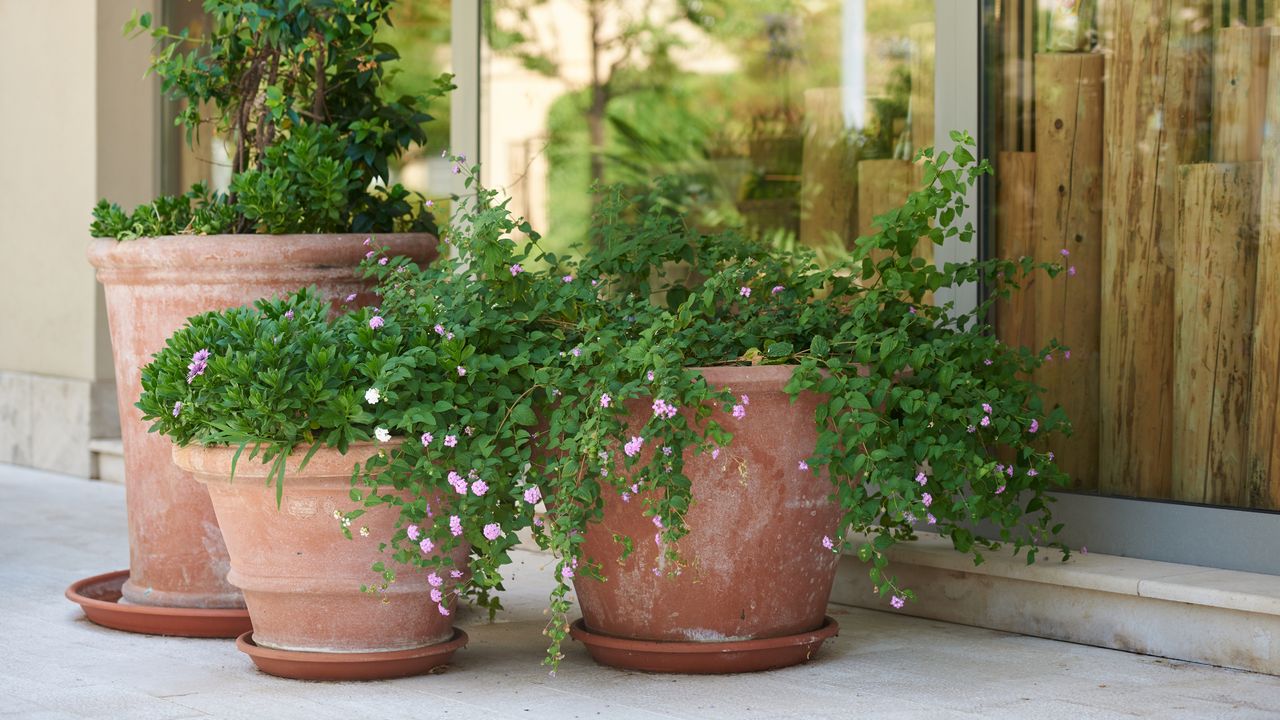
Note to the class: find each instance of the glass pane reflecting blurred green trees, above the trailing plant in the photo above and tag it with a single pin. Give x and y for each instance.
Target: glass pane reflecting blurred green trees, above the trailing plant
(796, 121)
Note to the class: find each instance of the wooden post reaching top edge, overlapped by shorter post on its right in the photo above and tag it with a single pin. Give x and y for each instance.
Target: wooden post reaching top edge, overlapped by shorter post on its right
(1155, 120)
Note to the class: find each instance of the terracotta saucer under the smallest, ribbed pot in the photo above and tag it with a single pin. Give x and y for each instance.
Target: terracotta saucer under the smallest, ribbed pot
(350, 666)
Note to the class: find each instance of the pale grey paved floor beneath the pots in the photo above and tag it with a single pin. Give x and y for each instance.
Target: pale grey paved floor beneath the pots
(56, 666)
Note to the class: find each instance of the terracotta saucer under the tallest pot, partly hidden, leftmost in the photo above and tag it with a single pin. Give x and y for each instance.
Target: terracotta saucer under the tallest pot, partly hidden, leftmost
(100, 599)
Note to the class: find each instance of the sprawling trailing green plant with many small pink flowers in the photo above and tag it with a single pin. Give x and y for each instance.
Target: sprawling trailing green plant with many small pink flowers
(537, 364)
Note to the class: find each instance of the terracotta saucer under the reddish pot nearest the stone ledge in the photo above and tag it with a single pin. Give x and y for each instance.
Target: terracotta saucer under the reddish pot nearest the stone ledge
(696, 658)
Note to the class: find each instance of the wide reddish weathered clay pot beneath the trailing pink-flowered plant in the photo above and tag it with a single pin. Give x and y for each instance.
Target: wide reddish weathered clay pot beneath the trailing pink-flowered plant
(756, 568)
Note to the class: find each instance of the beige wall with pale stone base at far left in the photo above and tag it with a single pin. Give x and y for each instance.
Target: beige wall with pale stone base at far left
(79, 122)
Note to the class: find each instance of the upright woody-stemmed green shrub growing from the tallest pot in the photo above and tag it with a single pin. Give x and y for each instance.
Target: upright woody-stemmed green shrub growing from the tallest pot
(299, 90)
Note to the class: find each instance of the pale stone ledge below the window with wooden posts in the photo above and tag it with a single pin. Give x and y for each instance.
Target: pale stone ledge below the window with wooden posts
(1180, 612)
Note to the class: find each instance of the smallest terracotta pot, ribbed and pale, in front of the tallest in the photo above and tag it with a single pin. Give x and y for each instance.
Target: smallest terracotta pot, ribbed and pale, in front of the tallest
(301, 577)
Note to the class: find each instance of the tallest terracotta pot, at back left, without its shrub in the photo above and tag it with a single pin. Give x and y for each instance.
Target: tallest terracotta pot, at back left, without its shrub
(177, 557)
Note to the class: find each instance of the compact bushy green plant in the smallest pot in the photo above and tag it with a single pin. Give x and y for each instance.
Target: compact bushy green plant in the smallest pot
(281, 376)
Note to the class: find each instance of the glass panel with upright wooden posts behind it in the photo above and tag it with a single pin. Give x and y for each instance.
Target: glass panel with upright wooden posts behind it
(1131, 151)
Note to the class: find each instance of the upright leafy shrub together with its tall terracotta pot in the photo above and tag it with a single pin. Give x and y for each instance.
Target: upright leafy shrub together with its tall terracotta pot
(299, 90)
